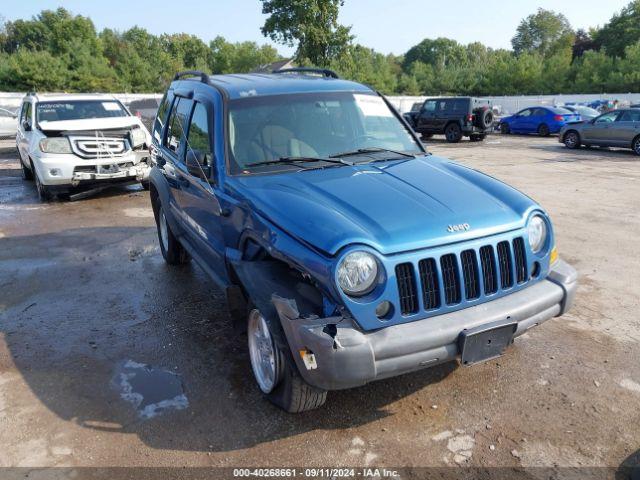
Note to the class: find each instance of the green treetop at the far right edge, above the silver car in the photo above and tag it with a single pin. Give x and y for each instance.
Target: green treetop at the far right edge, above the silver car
(622, 30)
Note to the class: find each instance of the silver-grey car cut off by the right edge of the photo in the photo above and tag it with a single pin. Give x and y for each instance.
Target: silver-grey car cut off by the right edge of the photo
(618, 128)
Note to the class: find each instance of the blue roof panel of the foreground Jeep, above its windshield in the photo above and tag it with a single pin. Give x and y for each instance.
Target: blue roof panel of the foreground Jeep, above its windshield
(256, 84)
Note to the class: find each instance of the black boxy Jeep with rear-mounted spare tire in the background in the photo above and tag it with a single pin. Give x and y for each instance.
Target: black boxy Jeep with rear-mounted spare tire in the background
(455, 117)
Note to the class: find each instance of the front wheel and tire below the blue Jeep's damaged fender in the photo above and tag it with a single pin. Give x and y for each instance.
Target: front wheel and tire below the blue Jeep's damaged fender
(274, 369)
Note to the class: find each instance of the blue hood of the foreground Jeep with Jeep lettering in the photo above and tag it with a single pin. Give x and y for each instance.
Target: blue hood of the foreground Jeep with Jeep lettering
(392, 207)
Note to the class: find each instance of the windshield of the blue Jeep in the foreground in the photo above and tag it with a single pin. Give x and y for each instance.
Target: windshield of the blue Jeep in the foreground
(318, 125)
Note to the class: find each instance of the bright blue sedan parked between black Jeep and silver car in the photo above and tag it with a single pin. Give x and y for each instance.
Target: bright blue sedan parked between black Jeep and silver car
(540, 120)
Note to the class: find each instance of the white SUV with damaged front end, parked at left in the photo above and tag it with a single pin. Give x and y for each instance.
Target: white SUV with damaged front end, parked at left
(66, 141)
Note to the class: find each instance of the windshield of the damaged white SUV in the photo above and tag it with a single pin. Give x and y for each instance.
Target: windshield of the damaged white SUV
(78, 110)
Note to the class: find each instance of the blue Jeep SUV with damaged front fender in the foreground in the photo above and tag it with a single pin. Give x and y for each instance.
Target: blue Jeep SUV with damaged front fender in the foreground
(347, 252)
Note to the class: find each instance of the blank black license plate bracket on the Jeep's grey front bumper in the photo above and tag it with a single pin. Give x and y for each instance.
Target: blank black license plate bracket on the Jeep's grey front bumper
(485, 342)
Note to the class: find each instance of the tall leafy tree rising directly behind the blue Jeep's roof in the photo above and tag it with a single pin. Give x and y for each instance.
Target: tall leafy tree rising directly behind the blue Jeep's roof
(311, 24)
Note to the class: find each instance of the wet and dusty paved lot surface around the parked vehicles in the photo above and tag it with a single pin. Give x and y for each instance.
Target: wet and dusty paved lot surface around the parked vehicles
(109, 357)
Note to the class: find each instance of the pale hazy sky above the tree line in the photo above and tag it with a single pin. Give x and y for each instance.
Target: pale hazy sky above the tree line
(388, 26)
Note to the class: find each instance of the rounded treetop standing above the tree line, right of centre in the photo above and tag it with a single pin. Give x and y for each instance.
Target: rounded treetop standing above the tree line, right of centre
(544, 32)
